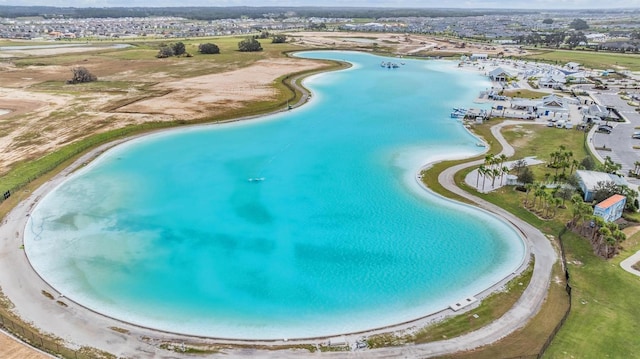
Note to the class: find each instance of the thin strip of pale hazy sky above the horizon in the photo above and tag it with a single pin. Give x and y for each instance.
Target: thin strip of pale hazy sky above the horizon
(513, 4)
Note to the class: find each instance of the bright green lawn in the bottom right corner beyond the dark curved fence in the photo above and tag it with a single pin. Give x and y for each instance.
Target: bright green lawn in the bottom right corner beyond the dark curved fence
(605, 317)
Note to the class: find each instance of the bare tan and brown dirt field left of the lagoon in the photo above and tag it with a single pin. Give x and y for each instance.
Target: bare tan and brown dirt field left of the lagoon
(46, 113)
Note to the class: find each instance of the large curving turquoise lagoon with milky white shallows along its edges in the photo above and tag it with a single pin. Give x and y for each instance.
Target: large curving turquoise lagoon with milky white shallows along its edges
(167, 231)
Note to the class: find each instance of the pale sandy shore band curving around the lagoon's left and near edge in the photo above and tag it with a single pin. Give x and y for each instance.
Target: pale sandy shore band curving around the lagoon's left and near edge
(27, 287)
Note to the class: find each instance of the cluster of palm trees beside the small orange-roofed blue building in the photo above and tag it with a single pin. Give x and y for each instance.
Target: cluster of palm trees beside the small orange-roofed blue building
(605, 237)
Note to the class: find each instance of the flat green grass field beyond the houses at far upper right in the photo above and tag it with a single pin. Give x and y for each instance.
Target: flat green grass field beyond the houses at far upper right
(589, 59)
